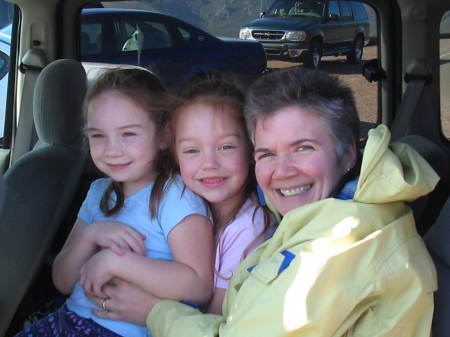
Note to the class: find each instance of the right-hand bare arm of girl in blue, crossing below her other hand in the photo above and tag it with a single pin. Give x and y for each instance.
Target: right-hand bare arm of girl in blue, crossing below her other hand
(188, 277)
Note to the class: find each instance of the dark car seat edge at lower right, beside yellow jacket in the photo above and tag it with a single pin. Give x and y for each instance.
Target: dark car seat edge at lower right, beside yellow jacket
(437, 241)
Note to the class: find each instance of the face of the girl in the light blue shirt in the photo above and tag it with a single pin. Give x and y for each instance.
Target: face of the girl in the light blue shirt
(122, 140)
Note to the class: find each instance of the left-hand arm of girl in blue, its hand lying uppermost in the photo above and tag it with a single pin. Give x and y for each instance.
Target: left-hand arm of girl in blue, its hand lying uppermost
(84, 241)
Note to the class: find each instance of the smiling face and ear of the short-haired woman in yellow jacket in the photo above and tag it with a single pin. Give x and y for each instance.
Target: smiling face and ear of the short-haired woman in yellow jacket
(295, 157)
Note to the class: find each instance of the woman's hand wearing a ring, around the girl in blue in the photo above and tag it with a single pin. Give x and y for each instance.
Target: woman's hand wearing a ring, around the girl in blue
(125, 302)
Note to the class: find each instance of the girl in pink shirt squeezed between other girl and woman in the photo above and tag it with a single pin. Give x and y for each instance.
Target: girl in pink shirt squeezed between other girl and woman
(213, 150)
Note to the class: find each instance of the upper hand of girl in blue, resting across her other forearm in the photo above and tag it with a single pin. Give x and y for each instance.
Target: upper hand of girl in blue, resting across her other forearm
(117, 237)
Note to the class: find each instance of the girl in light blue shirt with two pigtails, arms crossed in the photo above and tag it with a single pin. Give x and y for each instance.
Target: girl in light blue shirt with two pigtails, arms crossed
(140, 224)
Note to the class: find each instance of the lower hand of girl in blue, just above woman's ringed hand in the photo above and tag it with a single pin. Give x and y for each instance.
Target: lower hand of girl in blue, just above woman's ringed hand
(96, 272)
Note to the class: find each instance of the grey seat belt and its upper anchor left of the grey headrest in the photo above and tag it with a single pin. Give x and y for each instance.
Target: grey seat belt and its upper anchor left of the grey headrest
(25, 136)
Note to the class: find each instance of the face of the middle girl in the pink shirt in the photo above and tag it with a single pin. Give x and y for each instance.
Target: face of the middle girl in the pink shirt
(212, 151)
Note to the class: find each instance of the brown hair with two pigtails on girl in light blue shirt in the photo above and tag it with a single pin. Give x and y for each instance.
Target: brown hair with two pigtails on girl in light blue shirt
(147, 91)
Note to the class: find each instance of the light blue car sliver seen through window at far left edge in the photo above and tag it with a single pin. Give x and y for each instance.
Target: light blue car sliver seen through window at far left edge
(5, 46)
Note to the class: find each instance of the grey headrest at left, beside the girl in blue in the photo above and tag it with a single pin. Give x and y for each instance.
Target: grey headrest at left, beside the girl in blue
(58, 99)
